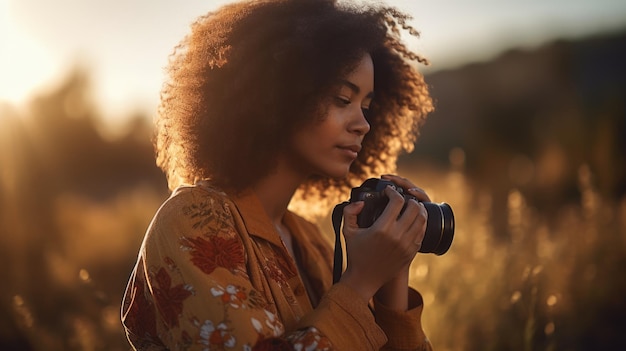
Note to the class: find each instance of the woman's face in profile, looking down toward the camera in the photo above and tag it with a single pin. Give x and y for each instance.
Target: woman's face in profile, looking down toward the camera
(327, 147)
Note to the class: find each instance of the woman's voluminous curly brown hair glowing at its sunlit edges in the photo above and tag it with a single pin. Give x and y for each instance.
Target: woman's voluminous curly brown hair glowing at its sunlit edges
(252, 72)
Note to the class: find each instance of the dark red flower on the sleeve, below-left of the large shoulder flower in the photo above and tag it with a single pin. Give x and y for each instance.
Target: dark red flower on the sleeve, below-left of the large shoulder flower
(169, 299)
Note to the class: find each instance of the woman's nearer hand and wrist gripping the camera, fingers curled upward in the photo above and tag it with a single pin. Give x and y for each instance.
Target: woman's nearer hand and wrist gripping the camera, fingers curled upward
(376, 254)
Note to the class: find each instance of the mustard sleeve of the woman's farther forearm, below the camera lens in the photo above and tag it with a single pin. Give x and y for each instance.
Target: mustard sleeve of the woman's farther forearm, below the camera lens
(403, 328)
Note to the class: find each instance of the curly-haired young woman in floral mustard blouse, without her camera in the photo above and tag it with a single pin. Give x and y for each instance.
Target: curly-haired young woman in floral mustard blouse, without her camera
(268, 103)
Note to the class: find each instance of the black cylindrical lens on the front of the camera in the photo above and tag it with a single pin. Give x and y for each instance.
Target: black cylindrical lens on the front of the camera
(439, 229)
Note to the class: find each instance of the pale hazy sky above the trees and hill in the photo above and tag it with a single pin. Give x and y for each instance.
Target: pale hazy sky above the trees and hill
(125, 43)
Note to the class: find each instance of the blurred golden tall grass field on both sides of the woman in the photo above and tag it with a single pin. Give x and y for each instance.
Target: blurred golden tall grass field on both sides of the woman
(544, 283)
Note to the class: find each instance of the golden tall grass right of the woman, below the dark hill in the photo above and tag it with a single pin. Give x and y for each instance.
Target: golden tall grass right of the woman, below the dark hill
(549, 282)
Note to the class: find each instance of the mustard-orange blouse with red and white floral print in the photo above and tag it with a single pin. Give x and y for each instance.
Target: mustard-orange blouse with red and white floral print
(213, 274)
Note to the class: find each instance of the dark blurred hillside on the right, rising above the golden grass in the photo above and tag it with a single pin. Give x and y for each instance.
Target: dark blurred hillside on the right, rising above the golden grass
(530, 119)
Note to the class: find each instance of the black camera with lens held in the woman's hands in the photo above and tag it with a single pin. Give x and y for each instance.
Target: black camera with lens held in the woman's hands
(439, 226)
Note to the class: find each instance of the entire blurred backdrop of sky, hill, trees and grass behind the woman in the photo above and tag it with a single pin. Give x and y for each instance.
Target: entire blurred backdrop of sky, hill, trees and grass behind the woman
(527, 144)
